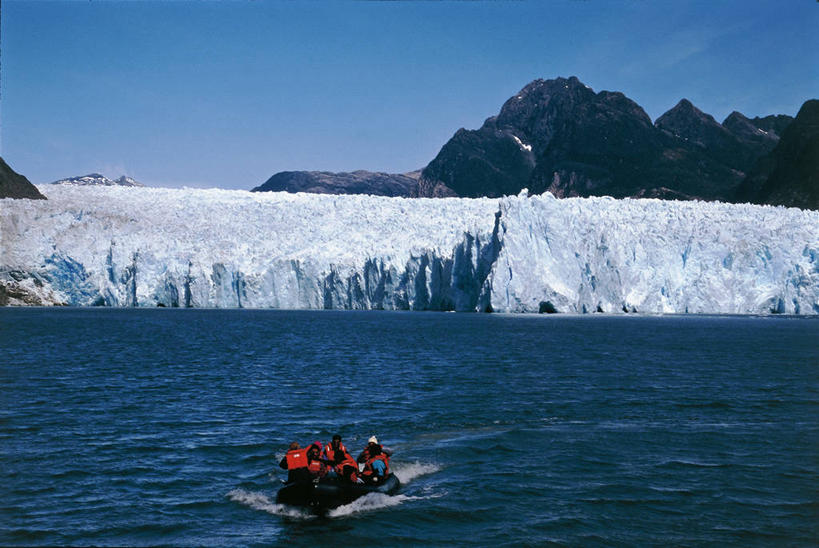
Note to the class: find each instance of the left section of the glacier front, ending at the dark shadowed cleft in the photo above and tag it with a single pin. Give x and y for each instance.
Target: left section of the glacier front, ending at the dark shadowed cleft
(217, 248)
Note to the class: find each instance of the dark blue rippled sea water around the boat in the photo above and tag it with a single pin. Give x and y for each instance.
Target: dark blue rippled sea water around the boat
(146, 427)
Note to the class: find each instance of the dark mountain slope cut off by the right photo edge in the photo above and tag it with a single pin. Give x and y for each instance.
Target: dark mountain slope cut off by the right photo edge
(789, 175)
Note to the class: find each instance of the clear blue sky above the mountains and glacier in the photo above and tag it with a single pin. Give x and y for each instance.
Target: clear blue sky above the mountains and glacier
(208, 94)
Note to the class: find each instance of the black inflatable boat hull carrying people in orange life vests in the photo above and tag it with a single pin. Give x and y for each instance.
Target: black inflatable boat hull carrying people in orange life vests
(328, 493)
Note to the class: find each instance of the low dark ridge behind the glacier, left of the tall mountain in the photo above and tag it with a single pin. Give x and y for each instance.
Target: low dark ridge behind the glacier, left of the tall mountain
(357, 182)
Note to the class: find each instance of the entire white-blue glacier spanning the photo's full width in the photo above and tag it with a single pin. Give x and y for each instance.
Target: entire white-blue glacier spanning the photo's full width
(120, 246)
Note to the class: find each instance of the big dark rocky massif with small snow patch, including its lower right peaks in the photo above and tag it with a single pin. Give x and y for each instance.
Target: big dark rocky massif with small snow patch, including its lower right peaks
(561, 136)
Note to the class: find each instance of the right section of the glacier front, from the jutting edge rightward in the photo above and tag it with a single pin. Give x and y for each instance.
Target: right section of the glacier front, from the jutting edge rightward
(605, 255)
